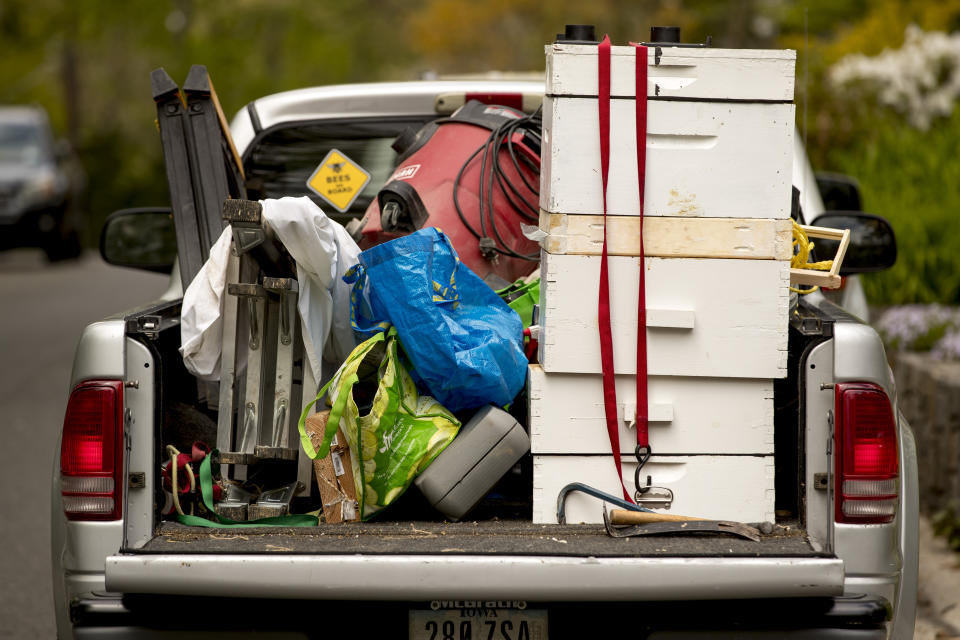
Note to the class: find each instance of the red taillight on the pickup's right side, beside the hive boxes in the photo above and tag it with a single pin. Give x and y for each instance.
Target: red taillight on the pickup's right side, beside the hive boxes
(867, 459)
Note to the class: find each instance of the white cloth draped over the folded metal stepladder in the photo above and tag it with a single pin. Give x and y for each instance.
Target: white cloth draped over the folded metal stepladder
(323, 251)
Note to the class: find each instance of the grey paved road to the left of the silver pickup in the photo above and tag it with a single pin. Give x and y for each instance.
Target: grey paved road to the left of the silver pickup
(44, 308)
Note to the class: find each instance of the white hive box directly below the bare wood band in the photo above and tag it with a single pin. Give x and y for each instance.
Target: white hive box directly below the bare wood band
(740, 306)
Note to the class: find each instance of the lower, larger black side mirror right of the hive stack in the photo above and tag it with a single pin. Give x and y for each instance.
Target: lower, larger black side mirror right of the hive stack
(873, 246)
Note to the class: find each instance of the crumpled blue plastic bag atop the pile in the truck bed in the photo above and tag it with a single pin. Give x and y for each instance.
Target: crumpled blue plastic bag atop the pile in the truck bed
(464, 342)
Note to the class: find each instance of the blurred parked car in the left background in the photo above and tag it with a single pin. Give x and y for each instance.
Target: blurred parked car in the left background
(39, 184)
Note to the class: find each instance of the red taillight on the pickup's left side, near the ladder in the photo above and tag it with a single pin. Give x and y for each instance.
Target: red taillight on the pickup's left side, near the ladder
(91, 453)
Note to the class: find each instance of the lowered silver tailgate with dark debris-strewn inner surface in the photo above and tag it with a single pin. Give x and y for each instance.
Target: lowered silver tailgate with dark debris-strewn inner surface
(490, 560)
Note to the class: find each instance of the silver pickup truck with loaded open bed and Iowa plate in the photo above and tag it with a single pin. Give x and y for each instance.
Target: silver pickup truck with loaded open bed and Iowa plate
(843, 563)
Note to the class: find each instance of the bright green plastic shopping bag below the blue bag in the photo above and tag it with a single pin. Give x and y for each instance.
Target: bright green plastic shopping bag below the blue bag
(400, 435)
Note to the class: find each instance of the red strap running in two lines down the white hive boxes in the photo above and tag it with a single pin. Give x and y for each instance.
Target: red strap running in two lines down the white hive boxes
(606, 337)
